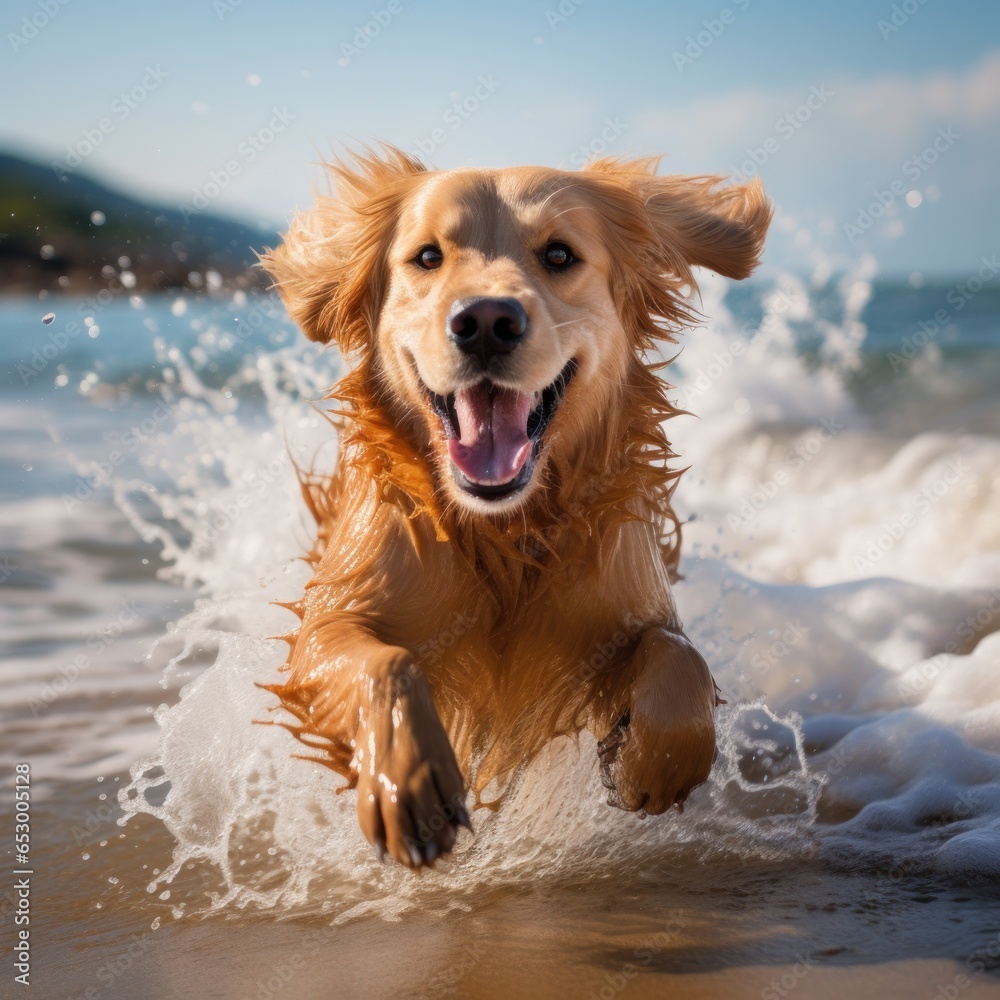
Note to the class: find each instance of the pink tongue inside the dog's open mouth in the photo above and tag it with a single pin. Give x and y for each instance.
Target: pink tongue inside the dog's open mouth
(492, 444)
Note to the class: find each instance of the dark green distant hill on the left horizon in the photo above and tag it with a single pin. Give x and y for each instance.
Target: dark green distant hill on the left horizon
(59, 234)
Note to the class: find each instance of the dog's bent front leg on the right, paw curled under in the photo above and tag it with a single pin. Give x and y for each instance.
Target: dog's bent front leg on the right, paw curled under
(663, 742)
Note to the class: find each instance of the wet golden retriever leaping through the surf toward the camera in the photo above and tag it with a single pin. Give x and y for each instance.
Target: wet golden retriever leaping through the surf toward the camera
(496, 547)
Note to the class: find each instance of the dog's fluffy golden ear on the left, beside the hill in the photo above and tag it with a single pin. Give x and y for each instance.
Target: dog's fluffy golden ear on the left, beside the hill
(329, 269)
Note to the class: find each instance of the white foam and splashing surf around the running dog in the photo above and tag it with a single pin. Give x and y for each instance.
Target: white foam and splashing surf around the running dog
(846, 606)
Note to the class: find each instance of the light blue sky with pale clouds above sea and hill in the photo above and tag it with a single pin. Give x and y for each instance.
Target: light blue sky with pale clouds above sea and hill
(833, 111)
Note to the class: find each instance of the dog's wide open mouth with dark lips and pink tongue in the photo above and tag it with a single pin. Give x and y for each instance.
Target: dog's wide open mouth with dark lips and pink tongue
(494, 433)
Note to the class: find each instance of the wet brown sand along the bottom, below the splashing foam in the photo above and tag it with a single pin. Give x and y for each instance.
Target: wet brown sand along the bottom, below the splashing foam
(724, 930)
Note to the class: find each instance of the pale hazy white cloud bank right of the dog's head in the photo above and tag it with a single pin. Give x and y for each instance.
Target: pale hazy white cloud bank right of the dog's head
(824, 165)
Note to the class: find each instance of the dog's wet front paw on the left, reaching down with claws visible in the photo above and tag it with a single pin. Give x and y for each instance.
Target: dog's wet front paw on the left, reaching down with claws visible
(411, 794)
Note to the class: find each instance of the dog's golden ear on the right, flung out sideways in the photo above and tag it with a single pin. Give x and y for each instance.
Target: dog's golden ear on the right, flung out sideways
(695, 220)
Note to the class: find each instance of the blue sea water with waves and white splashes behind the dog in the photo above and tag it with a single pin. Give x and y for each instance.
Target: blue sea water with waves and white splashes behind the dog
(841, 574)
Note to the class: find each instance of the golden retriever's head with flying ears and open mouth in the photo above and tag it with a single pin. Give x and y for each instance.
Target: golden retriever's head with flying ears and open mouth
(500, 310)
